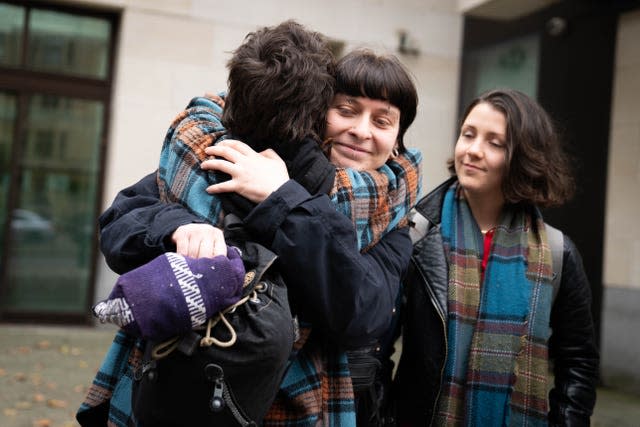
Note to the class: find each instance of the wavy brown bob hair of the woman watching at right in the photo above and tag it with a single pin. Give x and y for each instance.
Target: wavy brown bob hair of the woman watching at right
(537, 168)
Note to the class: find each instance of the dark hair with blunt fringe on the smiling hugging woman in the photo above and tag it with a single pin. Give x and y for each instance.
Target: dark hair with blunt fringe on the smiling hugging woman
(364, 73)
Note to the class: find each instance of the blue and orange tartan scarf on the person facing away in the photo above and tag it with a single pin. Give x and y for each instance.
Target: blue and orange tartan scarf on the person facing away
(317, 384)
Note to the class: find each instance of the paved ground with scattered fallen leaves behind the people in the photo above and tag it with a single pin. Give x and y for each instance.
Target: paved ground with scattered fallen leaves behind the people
(45, 371)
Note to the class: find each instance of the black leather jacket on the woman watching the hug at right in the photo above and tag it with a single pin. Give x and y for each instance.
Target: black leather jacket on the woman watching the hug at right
(572, 348)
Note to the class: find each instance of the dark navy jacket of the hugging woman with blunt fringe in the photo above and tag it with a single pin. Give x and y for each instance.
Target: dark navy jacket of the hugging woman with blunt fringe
(348, 296)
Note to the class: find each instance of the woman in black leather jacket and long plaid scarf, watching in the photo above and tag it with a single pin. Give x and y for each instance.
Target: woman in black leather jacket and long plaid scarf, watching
(490, 309)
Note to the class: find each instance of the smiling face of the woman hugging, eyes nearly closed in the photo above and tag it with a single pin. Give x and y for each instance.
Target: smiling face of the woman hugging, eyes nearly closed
(363, 131)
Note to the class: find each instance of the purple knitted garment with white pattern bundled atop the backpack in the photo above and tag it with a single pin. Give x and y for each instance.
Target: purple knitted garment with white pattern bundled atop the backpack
(173, 294)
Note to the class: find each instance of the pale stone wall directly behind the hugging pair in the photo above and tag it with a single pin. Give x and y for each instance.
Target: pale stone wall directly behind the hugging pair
(172, 50)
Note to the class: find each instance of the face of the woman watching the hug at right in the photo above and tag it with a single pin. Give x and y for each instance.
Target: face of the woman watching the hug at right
(480, 153)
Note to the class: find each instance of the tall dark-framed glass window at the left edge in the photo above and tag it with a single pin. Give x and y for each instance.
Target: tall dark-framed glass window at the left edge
(55, 80)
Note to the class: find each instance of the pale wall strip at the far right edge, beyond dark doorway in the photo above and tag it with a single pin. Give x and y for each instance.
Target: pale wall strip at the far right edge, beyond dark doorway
(619, 366)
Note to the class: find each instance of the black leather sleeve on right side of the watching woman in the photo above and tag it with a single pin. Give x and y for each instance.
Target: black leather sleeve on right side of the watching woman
(572, 346)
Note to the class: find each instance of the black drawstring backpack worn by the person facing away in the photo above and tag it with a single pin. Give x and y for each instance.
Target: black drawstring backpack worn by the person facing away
(233, 378)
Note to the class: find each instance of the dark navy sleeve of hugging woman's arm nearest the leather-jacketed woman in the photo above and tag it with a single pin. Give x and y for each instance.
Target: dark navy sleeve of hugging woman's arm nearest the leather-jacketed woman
(350, 295)
